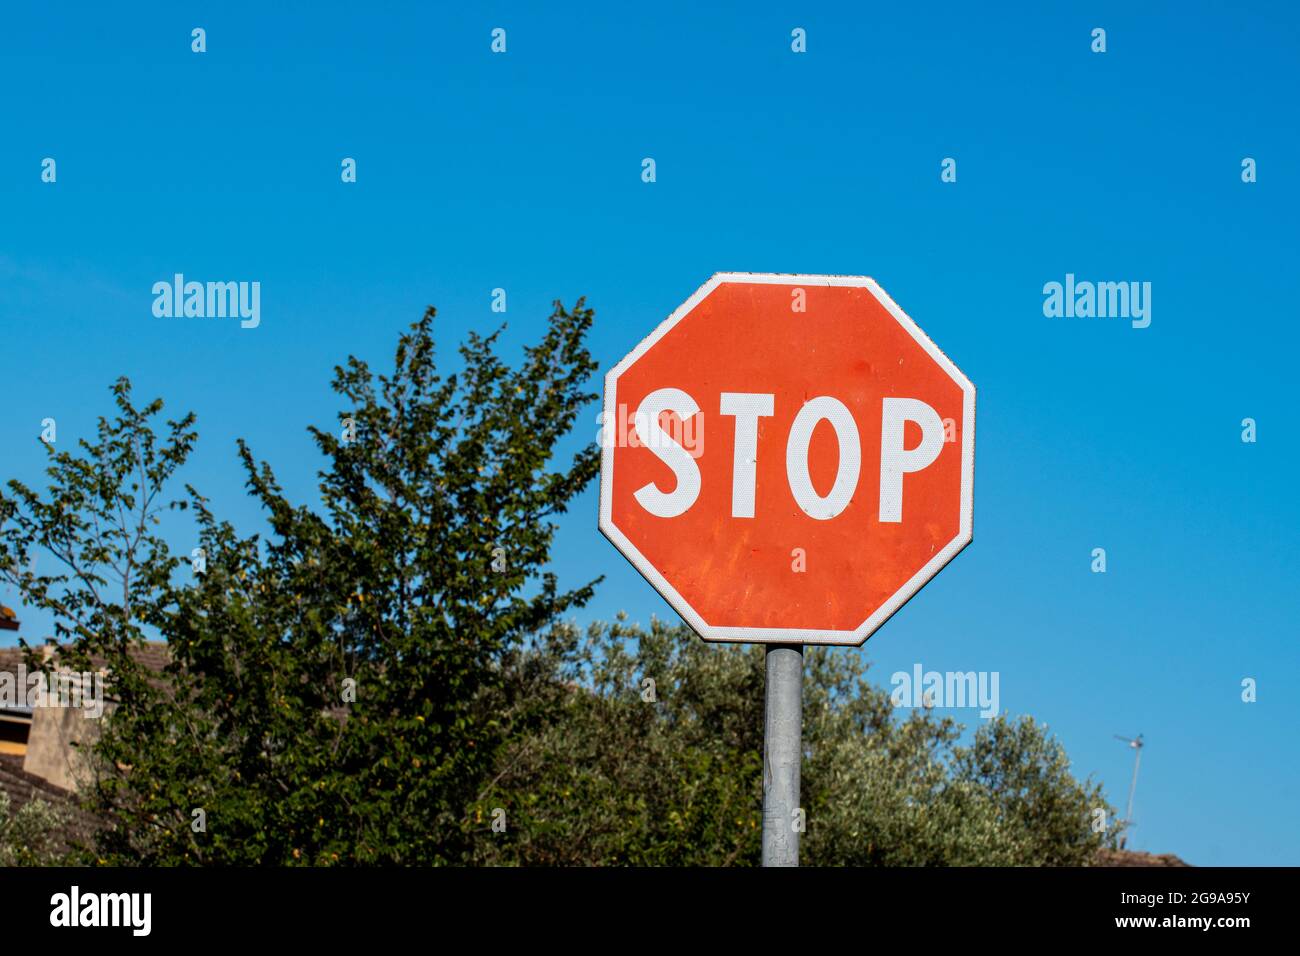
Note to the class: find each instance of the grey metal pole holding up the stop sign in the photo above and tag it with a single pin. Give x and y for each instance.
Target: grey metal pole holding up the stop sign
(783, 754)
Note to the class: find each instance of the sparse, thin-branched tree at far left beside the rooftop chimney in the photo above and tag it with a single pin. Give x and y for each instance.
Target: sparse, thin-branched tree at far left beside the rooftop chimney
(110, 585)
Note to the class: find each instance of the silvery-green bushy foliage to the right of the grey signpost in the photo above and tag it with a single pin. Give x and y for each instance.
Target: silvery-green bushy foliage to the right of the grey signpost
(907, 793)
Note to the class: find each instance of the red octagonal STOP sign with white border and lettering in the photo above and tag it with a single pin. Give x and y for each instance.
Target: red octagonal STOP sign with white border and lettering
(788, 458)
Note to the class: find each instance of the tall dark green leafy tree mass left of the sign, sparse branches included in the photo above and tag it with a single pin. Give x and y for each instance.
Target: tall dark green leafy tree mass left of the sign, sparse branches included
(339, 690)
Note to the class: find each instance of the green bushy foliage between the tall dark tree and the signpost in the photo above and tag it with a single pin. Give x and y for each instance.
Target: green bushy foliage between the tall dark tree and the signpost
(636, 773)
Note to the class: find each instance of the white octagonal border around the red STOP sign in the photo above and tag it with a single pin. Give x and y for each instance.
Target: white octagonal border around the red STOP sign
(782, 635)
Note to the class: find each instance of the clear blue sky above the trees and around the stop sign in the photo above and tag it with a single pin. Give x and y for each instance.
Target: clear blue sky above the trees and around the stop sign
(523, 171)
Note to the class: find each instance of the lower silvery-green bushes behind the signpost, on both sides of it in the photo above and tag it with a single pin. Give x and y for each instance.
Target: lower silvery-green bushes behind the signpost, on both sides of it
(678, 780)
